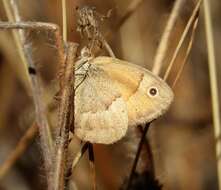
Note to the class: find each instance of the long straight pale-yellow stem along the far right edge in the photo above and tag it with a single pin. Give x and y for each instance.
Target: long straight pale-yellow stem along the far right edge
(213, 85)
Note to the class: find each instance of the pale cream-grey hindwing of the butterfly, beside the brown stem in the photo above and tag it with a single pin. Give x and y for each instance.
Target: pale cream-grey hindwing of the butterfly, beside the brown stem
(100, 111)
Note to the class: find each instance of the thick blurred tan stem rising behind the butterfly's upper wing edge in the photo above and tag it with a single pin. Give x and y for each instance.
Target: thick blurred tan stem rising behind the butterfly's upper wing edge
(164, 42)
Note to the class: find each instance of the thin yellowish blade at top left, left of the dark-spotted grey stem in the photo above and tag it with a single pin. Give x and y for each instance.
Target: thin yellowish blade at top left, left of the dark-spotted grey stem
(18, 45)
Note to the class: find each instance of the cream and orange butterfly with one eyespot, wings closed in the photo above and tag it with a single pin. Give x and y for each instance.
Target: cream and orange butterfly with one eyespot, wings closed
(114, 95)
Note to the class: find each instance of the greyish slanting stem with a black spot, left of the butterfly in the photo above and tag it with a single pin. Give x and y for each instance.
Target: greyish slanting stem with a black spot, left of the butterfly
(37, 93)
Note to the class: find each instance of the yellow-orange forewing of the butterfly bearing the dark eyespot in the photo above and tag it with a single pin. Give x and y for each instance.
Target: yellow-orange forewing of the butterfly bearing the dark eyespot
(134, 83)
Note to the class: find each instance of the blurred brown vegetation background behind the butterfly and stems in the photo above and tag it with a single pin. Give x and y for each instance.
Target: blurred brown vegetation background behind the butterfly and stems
(182, 141)
